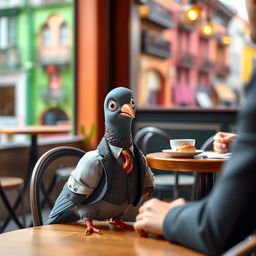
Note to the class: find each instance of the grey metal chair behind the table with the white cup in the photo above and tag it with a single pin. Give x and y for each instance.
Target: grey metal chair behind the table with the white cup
(149, 138)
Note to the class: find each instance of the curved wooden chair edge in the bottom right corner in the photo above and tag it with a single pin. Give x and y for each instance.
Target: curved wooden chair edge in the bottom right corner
(244, 248)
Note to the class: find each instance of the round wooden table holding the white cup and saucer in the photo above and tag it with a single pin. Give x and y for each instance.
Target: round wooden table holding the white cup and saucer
(202, 166)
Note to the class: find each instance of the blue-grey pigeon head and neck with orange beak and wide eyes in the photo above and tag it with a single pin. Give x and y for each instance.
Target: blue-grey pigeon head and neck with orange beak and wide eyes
(119, 111)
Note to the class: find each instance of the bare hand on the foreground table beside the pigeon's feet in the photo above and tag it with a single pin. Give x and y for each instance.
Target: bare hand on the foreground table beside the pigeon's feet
(151, 216)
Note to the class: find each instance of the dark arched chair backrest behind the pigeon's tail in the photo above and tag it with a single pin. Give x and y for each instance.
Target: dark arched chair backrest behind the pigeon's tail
(37, 176)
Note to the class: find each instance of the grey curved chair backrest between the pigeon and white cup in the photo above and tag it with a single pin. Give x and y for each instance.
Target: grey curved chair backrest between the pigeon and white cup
(143, 136)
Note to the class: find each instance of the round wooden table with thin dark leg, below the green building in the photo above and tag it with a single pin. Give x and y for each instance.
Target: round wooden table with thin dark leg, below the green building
(34, 131)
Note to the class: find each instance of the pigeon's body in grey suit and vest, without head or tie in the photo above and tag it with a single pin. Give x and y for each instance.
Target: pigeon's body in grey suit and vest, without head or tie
(109, 199)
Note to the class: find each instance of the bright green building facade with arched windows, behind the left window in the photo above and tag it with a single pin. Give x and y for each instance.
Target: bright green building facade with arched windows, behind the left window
(37, 61)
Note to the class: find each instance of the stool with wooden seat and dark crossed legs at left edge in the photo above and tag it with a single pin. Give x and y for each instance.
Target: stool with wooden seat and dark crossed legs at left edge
(10, 184)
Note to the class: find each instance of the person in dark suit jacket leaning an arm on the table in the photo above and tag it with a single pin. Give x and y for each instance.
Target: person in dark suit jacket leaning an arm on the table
(228, 214)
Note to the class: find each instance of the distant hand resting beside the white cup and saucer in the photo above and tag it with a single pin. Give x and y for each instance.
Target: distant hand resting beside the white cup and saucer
(223, 141)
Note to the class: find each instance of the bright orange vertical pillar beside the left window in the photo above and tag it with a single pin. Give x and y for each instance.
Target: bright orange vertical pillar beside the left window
(91, 68)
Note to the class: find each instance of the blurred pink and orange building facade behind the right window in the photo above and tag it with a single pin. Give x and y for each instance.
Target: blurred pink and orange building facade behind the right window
(198, 60)
